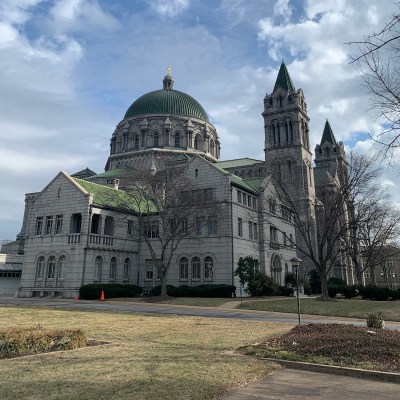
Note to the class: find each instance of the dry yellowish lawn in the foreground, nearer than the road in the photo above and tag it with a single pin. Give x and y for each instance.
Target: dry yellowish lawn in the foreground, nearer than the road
(153, 357)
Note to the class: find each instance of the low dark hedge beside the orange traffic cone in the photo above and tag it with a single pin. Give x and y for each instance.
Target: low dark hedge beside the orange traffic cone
(93, 291)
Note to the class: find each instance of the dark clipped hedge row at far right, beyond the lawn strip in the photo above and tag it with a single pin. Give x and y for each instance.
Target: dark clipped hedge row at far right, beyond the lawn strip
(370, 292)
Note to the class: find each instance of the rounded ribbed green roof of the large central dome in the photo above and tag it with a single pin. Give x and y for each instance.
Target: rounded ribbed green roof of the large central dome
(167, 102)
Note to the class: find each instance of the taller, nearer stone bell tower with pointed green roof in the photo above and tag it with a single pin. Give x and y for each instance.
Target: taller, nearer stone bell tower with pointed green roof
(287, 150)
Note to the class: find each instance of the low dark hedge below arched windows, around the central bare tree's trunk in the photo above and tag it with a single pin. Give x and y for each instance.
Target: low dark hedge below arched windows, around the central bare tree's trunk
(196, 291)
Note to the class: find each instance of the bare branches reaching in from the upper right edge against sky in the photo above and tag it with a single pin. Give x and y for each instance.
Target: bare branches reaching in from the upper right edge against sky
(378, 61)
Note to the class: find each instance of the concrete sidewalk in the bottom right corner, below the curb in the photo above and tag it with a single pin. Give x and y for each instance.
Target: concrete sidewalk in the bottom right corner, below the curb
(298, 385)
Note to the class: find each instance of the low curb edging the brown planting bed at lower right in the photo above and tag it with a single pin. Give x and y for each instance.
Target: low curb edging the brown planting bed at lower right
(344, 371)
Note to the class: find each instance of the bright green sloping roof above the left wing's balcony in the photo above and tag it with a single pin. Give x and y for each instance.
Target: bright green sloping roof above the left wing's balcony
(105, 196)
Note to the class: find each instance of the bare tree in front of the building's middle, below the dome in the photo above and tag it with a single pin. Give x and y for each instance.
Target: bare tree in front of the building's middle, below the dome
(171, 208)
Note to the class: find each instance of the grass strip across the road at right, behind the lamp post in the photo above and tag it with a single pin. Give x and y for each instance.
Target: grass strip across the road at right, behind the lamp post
(342, 308)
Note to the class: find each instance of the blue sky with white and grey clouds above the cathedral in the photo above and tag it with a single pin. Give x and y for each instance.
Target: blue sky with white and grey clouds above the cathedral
(69, 70)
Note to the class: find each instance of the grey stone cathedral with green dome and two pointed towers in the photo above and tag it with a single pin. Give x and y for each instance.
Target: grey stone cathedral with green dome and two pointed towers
(78, 229)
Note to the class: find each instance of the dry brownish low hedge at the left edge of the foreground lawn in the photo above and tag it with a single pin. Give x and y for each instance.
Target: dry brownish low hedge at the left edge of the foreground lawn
(19, 342)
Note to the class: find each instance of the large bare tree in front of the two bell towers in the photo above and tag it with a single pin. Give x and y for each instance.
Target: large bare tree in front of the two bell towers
(323, 237)
